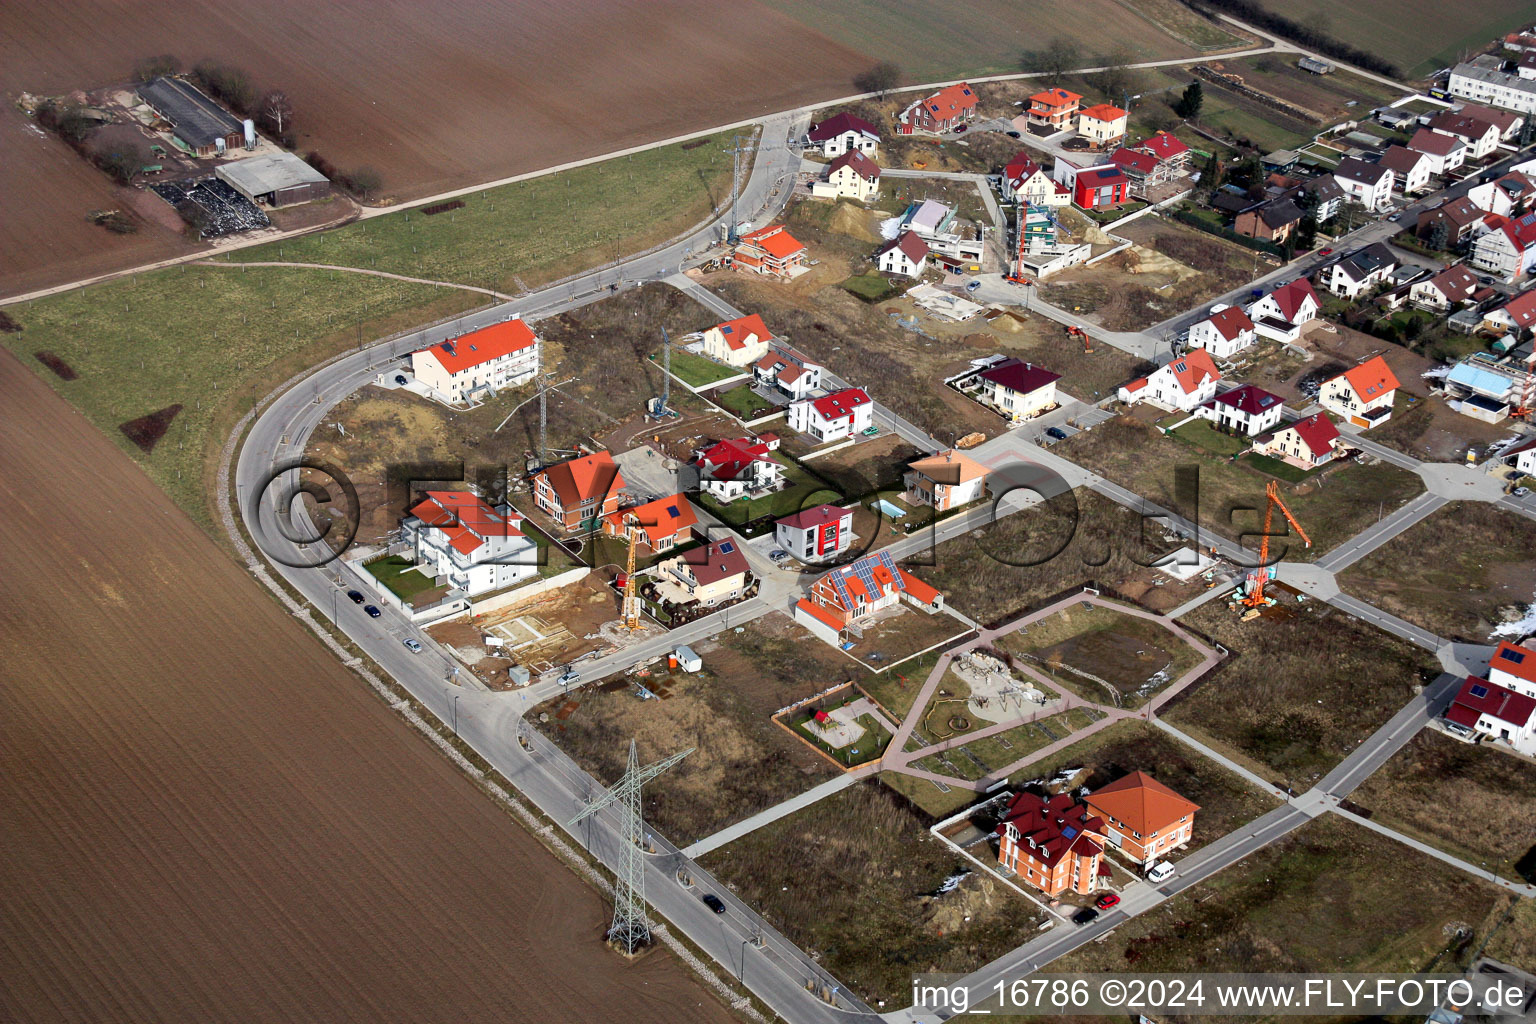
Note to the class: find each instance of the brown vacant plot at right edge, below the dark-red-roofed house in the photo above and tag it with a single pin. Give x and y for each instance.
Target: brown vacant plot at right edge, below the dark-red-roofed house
(1492, 818)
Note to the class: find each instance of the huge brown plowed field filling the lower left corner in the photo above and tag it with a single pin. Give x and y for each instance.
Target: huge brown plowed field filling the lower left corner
(207, 819)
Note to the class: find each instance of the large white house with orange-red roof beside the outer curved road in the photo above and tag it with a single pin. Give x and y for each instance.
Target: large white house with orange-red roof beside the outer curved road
(466, 544)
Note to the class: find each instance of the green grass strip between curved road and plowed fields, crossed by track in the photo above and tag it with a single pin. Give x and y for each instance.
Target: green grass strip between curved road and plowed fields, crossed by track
(214, 340)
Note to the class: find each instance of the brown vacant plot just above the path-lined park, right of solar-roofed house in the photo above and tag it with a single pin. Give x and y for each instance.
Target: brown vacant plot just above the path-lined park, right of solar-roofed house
(1031, 557)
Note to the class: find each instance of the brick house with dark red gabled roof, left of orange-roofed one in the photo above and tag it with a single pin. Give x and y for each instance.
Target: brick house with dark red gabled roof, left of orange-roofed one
(1056, 845)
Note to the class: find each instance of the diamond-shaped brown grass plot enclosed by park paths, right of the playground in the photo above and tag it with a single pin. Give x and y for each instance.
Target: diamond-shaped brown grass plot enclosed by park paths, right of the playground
(1105, 656)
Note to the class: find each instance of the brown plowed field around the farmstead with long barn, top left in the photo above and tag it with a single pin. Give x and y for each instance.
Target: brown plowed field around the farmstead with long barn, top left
(434, 96)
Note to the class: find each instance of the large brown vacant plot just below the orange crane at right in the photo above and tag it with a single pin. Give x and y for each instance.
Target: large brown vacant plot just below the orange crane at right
(1303, 685)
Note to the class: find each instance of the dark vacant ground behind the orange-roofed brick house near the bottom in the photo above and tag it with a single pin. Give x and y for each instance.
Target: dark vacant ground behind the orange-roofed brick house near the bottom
(1226, 801)
